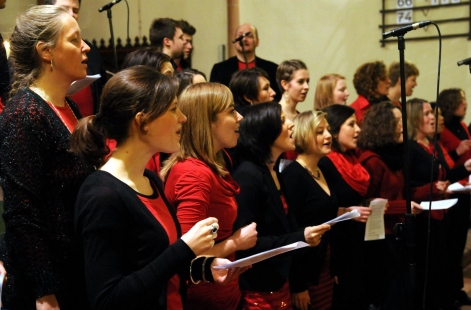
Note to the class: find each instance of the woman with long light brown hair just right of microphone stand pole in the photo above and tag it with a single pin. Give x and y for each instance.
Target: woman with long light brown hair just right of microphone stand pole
(455, 227)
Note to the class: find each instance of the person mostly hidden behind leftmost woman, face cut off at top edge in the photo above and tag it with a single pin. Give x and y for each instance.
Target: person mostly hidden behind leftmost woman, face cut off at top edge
(87, 99)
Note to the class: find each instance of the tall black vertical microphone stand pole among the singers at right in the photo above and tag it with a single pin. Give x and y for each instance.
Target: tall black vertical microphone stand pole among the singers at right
(410, 219)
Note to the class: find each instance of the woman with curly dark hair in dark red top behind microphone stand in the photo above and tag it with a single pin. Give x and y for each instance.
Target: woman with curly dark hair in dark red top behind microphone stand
(381, 141)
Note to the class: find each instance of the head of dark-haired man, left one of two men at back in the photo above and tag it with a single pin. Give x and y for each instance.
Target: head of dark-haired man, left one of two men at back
(167, 35)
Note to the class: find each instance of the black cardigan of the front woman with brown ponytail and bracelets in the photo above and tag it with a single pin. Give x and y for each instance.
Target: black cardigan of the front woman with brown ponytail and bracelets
(128, 259)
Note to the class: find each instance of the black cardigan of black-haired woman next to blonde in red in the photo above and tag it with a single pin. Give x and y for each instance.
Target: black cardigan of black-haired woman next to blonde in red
(259, 201)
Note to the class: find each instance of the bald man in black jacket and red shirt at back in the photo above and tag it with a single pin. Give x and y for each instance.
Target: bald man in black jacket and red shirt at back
(222, 72)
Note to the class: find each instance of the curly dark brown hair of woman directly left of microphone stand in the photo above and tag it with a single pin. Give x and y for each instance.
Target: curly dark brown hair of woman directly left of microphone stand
(378, 128)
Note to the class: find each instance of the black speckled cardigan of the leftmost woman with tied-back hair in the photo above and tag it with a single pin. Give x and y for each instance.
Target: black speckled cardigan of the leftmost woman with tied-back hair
(40, 179)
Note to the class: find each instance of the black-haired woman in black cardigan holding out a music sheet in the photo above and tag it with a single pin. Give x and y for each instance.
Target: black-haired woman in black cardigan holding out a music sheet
(265, 133)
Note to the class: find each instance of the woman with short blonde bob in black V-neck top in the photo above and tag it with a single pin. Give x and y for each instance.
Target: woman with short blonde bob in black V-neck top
(312, 203)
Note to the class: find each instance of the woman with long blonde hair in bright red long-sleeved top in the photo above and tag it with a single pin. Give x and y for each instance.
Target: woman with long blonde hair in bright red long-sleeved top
(198, 185)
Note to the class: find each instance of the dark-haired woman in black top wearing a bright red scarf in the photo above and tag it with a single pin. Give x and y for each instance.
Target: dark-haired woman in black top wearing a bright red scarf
(350, 182)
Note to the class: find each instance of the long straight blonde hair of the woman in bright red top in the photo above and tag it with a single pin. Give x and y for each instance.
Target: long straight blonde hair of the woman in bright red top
(200, 103)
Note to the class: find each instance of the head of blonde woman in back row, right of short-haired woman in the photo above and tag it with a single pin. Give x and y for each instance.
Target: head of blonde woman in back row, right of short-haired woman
(330, 89)
